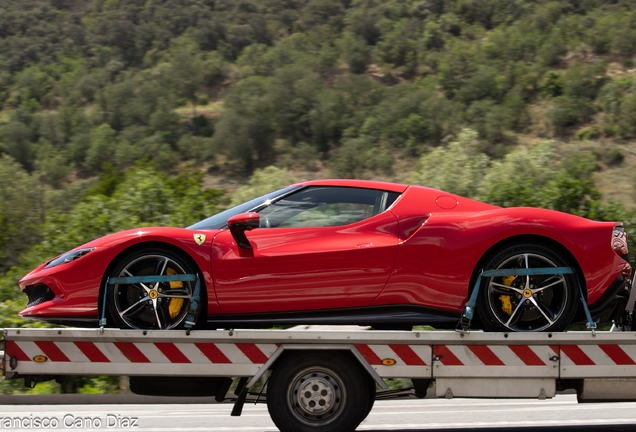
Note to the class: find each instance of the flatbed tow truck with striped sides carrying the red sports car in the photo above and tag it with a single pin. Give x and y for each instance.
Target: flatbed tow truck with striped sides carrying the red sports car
(328, 380)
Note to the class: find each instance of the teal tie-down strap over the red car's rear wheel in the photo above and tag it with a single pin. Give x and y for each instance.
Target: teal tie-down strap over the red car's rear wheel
(469, 308)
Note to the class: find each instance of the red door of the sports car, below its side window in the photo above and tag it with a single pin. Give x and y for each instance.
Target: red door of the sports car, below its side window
(294, 268)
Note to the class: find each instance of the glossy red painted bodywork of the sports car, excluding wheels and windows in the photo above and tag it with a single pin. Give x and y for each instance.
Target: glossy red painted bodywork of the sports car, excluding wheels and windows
(422, 251)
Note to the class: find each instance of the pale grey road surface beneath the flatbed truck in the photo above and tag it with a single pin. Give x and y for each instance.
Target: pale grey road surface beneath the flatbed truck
(561, 414)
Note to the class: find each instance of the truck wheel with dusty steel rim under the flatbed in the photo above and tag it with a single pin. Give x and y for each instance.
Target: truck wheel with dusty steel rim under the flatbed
(318, 392)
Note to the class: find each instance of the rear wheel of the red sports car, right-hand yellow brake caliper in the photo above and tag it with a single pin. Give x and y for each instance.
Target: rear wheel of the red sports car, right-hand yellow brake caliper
(527, 303)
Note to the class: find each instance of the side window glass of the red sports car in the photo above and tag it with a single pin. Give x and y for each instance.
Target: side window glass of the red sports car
(326, 206)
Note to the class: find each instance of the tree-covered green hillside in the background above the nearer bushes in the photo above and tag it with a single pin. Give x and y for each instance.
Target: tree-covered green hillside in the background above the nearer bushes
(235, 84)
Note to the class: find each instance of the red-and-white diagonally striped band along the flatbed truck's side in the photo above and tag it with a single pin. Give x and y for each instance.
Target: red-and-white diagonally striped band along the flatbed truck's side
(390, 360)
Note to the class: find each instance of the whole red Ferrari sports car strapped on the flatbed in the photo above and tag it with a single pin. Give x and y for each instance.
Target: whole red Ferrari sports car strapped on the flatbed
(344, 252)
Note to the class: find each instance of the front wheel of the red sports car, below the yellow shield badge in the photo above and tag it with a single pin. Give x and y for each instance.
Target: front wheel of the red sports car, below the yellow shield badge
(151, 306)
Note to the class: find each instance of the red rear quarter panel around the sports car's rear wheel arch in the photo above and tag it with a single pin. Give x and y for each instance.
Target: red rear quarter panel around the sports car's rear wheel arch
(435, 264)
